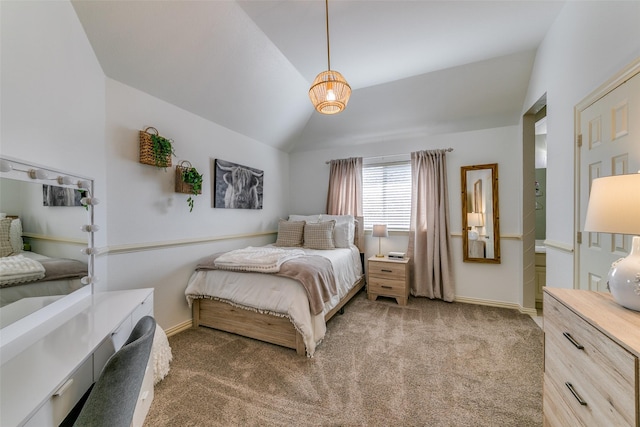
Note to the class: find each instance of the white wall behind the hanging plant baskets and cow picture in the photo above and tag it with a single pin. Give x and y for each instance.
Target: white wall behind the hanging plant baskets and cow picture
(146, 218)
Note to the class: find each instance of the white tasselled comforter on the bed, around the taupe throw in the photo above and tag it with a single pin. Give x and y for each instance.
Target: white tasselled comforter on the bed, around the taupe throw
(279, 296)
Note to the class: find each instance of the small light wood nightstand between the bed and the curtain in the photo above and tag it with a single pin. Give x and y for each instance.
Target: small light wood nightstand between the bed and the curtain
(388, 277)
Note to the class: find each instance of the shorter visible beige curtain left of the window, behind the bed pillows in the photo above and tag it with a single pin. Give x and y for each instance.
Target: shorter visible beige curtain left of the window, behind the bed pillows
(345, 187)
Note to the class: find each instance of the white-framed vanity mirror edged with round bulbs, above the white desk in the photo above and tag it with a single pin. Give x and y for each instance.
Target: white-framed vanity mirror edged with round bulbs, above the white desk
(49, 259)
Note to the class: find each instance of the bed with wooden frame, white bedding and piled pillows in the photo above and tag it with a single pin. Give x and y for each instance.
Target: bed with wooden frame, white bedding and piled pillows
(277, 307)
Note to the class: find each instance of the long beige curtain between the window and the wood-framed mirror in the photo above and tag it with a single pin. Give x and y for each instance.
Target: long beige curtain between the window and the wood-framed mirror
(429, 243)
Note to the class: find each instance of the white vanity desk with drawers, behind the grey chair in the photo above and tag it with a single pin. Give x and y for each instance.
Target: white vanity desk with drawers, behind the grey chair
(43, 375)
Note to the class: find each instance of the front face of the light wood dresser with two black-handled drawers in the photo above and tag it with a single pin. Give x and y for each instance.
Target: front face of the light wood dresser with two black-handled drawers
(584, 365)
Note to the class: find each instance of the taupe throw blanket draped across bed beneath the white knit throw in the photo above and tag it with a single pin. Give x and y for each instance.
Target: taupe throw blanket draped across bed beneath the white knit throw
(314, 272)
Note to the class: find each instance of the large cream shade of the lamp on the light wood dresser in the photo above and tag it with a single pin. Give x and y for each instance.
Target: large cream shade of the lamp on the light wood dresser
(614, 205)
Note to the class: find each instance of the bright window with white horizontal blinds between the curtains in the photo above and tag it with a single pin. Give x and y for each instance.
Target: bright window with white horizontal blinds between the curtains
(386, 194)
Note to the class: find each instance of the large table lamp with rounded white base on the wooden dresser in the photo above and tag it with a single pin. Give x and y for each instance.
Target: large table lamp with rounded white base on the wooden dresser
(614, 207)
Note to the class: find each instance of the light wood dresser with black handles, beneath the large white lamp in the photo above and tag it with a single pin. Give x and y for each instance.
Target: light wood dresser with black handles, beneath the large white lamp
(592, 348)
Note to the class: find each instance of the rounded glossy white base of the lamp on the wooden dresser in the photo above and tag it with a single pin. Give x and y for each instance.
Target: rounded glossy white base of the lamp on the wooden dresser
(624, 278)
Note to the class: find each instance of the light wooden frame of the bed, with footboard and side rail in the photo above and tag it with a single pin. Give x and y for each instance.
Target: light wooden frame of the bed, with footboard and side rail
(265, 327)
